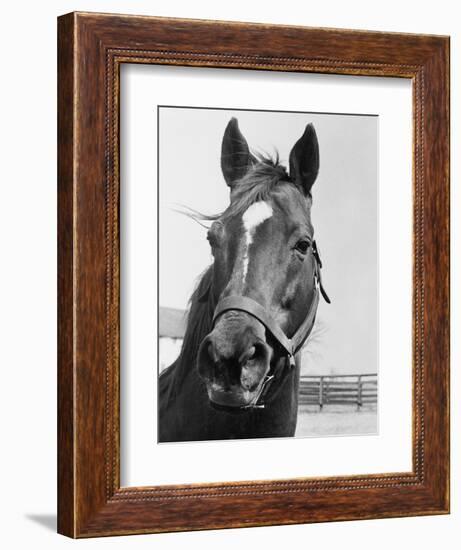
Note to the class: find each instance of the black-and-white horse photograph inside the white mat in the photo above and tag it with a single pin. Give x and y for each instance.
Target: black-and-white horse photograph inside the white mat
(267, 274)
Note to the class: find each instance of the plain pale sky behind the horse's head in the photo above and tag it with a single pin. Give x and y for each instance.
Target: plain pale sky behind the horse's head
(344, 214)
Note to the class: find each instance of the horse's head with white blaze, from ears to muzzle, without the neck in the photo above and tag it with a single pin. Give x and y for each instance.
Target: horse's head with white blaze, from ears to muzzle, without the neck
(266, 270)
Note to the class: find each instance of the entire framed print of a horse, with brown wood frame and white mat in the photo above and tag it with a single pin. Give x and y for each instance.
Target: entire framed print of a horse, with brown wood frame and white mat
(253, 275)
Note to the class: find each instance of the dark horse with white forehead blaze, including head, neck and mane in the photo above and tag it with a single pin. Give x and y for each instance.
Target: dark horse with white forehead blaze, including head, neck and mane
(237, 374)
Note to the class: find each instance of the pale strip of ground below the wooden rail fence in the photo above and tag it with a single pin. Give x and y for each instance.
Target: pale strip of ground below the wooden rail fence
(336, 420)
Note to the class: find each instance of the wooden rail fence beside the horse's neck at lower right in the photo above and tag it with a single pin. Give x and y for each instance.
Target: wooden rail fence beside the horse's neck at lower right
(341, 389)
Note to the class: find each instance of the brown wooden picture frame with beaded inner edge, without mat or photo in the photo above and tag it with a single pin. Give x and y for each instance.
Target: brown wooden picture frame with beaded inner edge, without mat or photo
(91, 49)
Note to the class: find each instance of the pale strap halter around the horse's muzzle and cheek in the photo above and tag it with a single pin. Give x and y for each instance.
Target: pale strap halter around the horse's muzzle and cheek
(292, 345)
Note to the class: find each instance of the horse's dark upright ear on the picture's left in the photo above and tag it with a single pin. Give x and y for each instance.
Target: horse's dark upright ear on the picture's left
(235, 154)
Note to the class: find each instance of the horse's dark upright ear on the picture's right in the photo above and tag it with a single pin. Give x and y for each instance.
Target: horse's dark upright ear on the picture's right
(304, 160)
